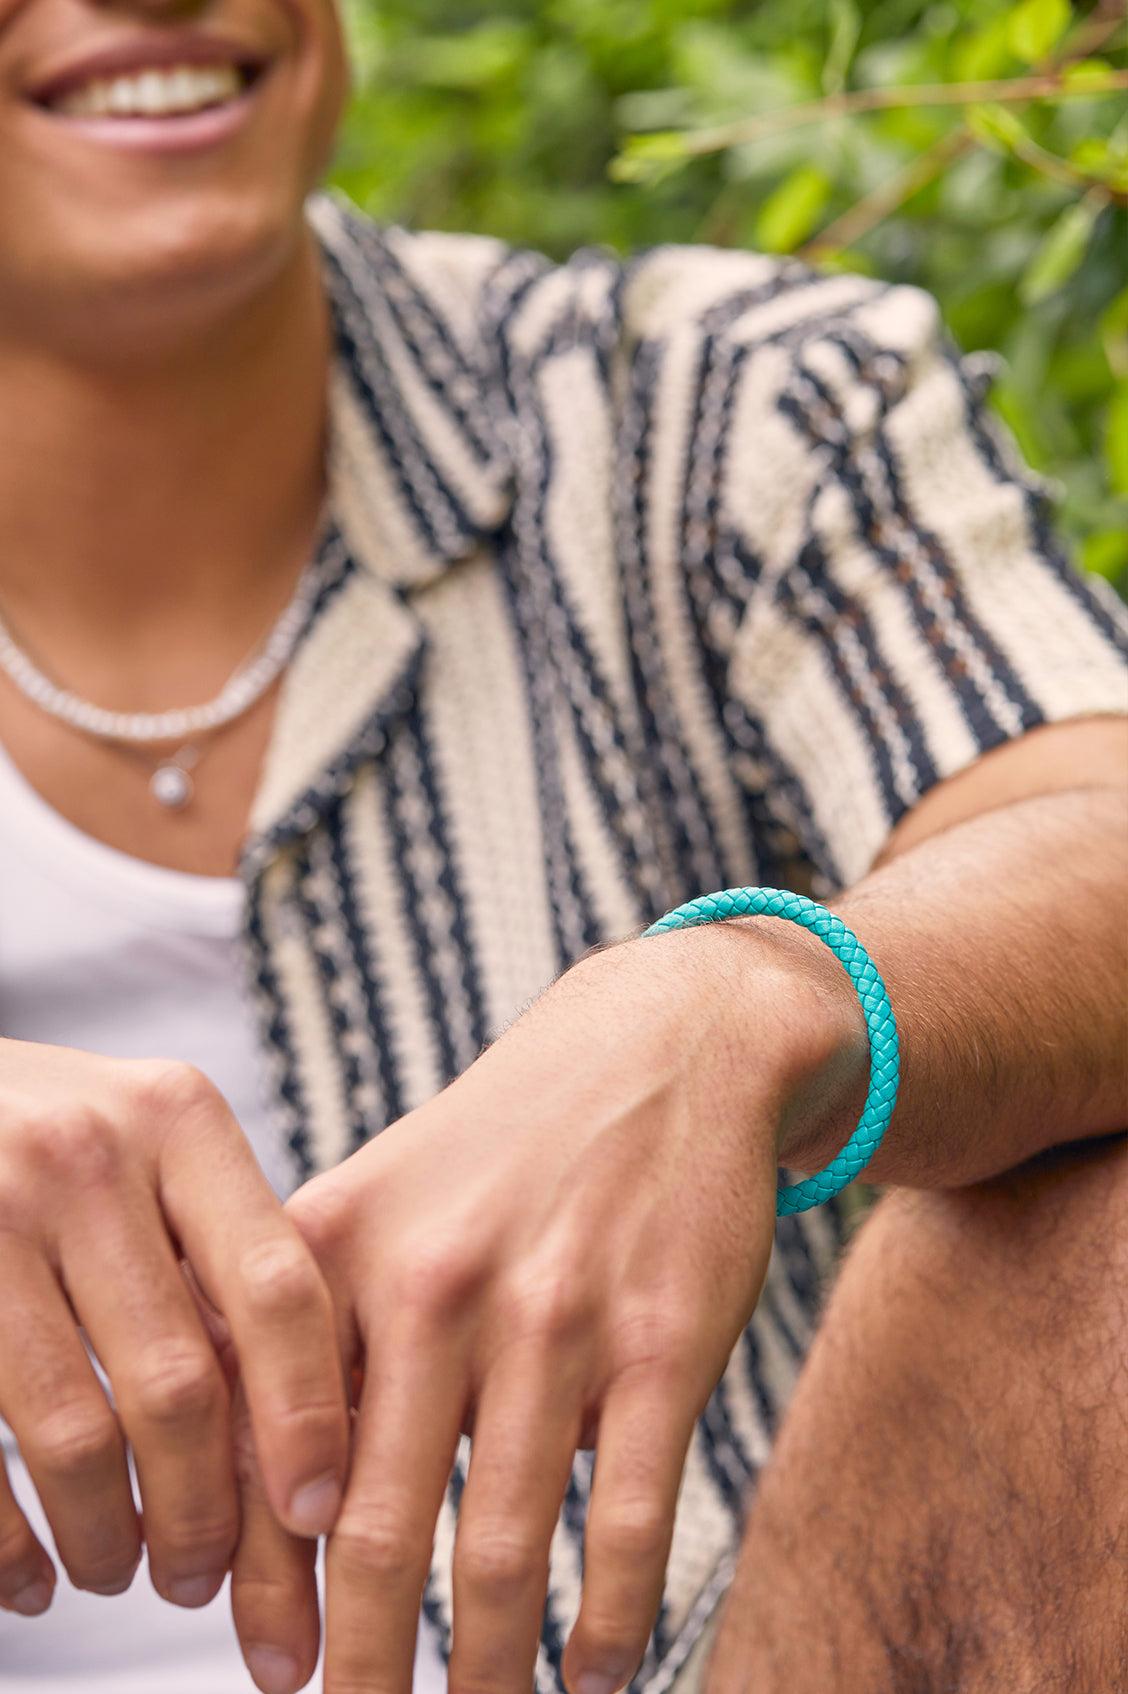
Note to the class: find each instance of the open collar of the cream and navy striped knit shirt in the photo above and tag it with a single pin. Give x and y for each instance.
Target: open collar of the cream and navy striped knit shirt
(419, 477)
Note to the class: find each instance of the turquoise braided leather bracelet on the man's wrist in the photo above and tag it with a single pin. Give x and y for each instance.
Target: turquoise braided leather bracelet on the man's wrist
(871, 994)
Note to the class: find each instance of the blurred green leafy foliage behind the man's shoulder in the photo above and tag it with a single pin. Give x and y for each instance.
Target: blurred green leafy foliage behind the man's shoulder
(978, 148)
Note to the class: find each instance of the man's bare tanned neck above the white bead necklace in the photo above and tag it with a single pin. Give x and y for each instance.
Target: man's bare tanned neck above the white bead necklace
(155, 516)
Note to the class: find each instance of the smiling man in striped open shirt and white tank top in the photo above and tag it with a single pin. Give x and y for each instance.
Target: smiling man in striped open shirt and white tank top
(628, 585)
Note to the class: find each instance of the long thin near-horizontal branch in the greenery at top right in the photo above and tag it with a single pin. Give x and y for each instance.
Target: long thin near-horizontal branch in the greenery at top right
(1000, 91)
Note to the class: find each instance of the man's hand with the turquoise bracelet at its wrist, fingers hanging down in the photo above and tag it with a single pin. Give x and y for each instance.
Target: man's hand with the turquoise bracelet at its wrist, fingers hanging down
(558, 1251)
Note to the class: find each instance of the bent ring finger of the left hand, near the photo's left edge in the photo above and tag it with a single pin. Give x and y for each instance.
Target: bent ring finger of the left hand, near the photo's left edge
(69, 1436)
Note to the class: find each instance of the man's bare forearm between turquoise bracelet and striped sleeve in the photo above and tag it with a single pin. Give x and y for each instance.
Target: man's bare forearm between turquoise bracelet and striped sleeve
(1004, 944)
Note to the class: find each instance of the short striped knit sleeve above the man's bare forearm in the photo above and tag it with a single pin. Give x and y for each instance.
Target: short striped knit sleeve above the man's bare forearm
(875, 580)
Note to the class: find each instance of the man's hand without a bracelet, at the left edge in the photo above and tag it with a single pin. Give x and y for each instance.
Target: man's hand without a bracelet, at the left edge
(113, 1178)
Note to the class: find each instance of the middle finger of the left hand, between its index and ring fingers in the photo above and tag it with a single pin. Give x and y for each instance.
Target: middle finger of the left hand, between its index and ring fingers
(170, 1392)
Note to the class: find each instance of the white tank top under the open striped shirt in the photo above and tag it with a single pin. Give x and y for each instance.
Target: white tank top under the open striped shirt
(135, 961)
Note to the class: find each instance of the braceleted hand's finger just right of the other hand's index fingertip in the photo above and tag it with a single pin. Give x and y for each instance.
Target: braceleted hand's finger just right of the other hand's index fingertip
(379, 1556)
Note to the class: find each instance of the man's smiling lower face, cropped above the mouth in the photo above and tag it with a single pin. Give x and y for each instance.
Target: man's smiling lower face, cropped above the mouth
(155, 153)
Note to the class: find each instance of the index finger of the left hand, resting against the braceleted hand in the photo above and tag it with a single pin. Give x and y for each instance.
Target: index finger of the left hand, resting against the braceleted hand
(257, 1270)
